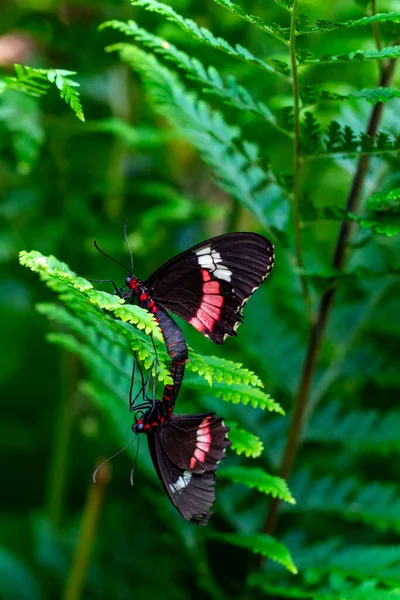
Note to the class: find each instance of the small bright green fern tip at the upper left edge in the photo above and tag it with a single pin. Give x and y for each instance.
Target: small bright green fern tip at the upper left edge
(36, 82)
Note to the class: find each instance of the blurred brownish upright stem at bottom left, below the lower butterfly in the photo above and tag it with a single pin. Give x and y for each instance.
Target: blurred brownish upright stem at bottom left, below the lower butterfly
(90, 518)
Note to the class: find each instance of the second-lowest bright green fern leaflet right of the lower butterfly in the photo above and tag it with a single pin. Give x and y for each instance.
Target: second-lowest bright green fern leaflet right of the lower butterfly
(254, 477)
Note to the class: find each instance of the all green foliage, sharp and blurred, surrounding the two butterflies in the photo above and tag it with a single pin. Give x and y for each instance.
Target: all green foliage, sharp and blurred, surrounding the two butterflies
(180, 169)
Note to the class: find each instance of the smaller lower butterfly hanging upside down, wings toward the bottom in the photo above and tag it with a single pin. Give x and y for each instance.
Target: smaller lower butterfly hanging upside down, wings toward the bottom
(185, 450)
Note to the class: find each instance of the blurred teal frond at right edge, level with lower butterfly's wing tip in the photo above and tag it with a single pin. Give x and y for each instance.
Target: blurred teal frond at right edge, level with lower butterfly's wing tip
(377, 504)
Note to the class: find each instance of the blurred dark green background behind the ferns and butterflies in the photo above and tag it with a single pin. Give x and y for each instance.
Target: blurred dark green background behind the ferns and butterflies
(64, 183)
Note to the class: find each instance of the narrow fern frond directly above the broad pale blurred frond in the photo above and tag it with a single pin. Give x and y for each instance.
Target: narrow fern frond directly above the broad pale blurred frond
(212, 81)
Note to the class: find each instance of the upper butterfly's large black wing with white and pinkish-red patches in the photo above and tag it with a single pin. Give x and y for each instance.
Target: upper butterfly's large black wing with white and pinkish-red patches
(208, 284)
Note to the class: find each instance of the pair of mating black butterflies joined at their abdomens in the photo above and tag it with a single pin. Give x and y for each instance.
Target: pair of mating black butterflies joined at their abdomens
(207, 285)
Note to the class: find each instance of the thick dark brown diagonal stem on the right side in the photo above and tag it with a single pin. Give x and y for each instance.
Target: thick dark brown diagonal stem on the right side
(318, 328)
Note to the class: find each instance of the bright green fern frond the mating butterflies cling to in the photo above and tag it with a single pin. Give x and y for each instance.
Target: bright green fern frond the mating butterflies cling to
(233, 382)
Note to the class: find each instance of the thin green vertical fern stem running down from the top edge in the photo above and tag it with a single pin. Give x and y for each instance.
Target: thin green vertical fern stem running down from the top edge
(297, 158)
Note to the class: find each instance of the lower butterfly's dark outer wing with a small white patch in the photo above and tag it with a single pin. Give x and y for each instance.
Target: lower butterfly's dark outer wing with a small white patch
(192, 494)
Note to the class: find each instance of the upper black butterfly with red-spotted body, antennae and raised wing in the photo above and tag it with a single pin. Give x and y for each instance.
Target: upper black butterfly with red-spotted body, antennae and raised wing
(207, 285)
